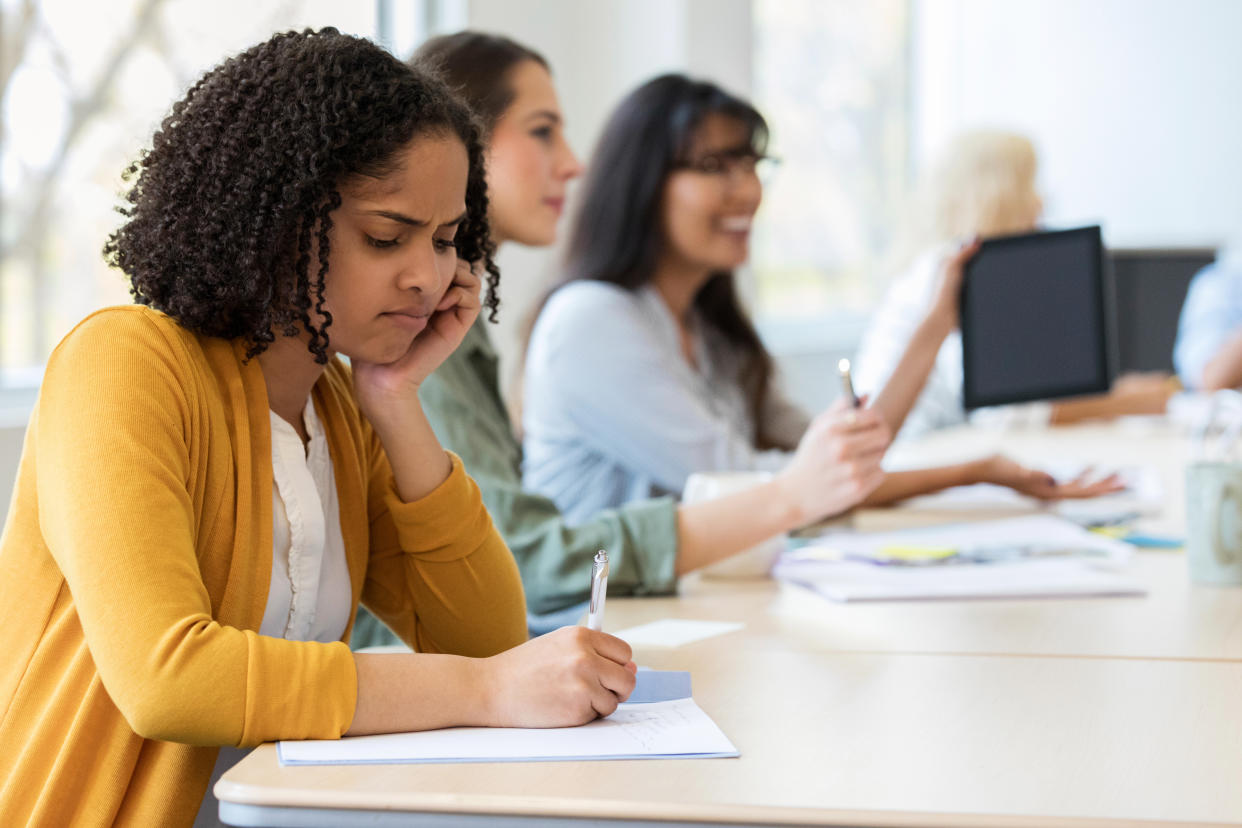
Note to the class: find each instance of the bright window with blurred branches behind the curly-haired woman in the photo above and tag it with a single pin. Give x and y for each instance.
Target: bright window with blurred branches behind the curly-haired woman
(83, 89)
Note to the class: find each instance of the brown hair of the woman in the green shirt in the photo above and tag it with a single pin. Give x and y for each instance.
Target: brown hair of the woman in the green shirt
(476, 66)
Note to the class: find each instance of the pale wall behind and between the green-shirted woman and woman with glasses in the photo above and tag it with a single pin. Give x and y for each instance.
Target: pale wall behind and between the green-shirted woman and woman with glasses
(599, 52)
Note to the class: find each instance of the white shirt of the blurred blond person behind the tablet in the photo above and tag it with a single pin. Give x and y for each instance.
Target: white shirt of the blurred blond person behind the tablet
(884, 344)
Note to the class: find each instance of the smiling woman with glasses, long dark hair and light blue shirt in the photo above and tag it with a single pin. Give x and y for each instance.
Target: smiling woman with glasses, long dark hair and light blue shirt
(643, 368)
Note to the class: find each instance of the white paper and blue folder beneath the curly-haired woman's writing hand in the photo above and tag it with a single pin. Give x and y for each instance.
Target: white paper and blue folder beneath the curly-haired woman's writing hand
(660, 721)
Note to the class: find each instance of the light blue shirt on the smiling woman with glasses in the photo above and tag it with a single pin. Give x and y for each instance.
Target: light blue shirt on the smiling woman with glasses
(613, 412)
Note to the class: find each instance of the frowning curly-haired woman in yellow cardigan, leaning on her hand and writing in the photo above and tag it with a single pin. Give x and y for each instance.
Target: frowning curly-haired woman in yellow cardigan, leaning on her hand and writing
(207, 493)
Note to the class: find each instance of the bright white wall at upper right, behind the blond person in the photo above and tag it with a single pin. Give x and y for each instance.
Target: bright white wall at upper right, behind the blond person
(1136, 106)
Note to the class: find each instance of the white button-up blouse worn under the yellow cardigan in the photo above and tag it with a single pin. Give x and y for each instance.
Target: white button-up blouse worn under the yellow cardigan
(310, 596)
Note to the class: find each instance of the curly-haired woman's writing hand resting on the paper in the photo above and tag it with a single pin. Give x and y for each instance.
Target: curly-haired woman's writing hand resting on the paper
(566, 678)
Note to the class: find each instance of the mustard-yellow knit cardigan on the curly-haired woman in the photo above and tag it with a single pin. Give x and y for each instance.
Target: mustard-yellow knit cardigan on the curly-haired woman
(135, 570)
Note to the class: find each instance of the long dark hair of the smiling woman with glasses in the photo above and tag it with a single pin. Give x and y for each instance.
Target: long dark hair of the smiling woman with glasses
(618, 236)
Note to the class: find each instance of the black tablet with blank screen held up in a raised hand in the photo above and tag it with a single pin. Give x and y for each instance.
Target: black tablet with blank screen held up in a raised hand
(1034, 320)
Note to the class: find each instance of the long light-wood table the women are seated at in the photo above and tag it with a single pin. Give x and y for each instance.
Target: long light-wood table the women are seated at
(1101, 712)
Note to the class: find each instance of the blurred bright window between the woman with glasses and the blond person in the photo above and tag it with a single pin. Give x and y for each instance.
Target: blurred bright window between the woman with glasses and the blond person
(832, 78)
